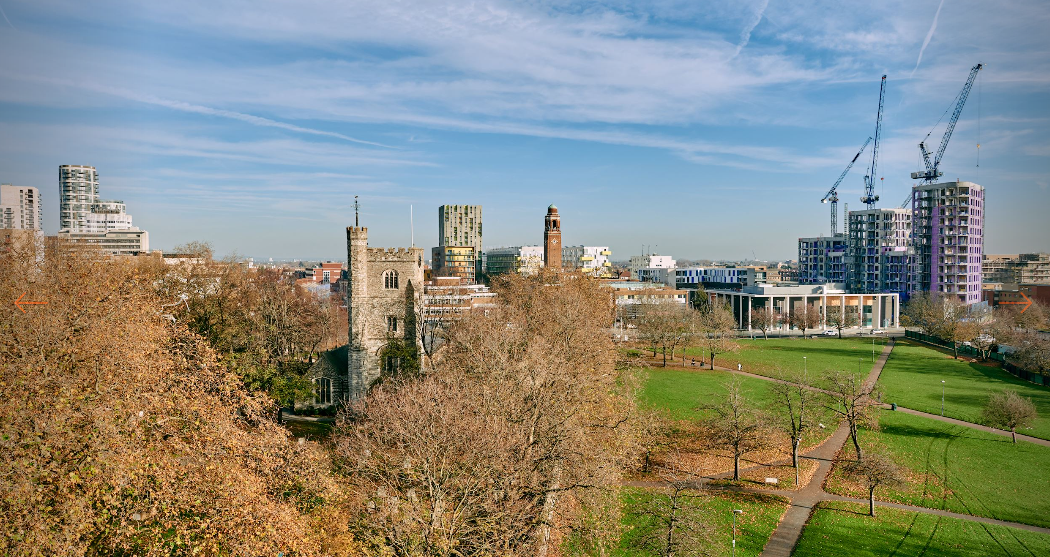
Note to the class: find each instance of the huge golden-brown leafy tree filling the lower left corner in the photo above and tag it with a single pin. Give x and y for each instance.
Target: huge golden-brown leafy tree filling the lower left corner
(127, 435)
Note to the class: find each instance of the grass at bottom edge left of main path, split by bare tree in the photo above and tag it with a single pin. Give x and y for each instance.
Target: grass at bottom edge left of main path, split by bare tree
(762, 513)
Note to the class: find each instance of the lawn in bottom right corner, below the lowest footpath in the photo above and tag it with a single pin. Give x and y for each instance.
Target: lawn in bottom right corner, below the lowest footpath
(846, 529)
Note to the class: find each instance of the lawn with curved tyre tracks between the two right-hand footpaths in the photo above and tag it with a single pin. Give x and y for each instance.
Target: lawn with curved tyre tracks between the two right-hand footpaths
(960, 469)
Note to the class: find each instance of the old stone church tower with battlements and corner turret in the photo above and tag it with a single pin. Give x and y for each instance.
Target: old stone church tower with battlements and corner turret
(385, 286)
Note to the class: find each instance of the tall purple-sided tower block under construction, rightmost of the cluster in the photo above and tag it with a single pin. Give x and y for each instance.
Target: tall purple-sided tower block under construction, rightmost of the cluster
(948, 222)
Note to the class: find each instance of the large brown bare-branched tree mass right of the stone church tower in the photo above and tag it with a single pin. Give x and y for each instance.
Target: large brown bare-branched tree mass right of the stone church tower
(524, 417)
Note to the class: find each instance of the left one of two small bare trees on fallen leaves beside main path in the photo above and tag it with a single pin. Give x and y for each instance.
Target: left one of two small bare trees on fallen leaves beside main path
(738, 426)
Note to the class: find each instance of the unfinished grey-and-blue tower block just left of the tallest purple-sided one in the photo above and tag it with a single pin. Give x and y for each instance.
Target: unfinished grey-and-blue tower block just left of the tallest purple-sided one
(878, 251)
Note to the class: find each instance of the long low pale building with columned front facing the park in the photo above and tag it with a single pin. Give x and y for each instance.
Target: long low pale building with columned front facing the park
(876, 311)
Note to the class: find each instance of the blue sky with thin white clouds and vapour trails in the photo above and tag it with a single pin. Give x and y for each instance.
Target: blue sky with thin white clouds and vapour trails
(700, 130)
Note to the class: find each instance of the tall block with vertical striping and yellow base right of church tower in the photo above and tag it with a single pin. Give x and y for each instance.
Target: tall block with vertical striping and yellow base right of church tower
(459, 242)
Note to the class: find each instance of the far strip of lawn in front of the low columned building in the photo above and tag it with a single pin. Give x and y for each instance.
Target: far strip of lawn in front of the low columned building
(765, 358)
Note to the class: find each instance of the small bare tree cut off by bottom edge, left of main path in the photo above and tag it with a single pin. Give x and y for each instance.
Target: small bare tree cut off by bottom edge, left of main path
(674, 522)
